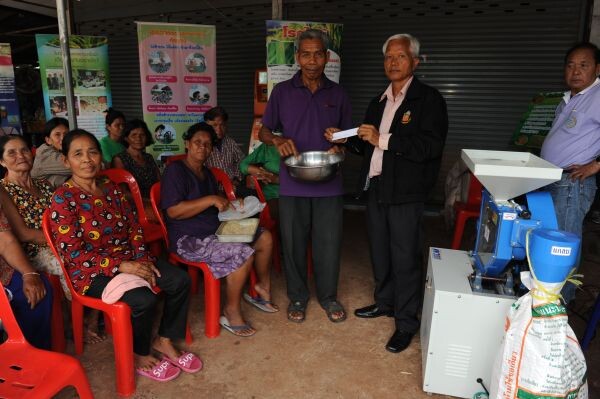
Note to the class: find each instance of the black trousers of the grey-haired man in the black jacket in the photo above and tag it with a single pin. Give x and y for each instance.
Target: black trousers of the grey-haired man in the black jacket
(395, 233)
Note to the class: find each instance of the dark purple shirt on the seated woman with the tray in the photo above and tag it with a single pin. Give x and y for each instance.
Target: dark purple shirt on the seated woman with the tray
(179, 183)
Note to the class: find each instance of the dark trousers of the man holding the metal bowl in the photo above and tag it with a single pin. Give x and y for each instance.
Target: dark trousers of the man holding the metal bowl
(320, 220)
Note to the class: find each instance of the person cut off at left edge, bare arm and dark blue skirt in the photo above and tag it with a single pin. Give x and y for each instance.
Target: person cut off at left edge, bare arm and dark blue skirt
(31, 293)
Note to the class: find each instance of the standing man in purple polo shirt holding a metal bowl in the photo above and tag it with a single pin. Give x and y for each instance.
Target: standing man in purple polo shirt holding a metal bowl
(302, 108)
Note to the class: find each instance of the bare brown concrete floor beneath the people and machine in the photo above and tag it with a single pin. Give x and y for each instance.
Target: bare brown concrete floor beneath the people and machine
(315, 359)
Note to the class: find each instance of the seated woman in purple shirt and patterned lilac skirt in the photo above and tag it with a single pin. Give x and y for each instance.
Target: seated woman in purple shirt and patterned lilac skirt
(191, 203)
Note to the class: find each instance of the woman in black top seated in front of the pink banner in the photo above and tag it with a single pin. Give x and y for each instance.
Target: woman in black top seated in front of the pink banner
(136, 137)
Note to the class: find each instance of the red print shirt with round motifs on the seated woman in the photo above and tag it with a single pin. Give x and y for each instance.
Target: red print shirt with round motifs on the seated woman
(94, 234)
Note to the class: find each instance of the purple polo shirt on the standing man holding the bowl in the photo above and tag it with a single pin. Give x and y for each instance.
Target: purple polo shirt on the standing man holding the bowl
(303, 116)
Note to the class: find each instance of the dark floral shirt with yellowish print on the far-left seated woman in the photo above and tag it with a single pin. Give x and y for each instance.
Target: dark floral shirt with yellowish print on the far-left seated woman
(30, 207)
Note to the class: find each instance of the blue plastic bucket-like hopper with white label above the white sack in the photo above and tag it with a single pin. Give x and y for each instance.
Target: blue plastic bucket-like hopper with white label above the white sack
(553, 254)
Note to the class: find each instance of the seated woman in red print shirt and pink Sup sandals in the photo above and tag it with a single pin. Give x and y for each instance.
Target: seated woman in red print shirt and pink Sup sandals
(98, 239)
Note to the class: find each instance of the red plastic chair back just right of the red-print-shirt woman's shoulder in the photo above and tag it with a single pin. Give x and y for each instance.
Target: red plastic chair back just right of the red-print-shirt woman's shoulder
(152, 233)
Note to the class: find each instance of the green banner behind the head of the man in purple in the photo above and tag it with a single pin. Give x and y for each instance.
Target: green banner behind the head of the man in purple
(281, 53)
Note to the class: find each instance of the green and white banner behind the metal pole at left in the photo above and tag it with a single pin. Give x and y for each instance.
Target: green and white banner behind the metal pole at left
(91, 80)
